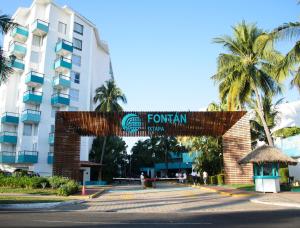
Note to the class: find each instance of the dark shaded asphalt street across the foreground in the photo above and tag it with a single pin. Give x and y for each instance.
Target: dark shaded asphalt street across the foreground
(274, 219)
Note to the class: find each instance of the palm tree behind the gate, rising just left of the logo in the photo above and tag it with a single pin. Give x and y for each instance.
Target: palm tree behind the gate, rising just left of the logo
(108, 96)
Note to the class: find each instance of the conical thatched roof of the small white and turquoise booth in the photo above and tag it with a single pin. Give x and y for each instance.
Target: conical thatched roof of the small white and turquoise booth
(267, 154)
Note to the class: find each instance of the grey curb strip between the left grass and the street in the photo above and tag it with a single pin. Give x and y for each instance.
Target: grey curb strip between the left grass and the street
(39, 205)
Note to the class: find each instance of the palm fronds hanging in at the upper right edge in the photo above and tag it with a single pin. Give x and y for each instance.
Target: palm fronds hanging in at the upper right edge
(290, 63)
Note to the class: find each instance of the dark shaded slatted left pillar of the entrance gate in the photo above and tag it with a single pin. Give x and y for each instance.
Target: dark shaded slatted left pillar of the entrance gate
(66, 160)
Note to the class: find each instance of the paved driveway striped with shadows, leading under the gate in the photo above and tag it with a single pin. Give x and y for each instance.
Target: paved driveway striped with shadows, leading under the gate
(167, 198)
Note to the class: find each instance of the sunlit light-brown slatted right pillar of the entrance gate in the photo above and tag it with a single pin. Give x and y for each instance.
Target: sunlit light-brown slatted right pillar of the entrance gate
(236, 144)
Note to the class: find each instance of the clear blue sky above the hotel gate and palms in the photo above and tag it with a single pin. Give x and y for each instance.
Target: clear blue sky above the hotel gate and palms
(162, 51)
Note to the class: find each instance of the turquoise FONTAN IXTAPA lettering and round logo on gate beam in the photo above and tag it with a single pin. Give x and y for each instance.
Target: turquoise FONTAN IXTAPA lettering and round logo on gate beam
(152, 122)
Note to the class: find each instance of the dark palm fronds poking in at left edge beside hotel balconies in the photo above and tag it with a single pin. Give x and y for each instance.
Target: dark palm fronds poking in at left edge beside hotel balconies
(6, 24)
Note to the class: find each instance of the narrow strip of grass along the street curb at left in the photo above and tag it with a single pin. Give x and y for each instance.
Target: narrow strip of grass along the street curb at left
(28, 199)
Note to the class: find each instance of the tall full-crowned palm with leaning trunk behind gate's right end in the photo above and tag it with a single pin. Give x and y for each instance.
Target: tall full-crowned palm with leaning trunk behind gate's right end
(248, 70)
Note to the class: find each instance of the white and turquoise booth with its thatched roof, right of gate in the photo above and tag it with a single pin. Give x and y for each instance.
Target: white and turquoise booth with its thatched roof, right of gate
(266, 161)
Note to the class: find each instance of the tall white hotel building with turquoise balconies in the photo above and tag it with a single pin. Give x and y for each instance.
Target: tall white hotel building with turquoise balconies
(60, 61)
